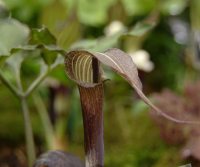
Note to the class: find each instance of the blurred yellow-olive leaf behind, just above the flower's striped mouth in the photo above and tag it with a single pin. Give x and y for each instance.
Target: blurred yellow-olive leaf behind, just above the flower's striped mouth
(65, 27)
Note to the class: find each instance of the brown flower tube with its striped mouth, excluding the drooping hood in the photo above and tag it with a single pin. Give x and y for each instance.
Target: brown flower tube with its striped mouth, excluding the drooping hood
(84, 69)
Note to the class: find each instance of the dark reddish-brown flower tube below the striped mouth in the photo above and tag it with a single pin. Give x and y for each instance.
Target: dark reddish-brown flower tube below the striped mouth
(92, 105)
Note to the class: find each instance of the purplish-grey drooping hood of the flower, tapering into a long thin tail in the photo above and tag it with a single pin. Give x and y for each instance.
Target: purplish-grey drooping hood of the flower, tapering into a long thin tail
(123, 64)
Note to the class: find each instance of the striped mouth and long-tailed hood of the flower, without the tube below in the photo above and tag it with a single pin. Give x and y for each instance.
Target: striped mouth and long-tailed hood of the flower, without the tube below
(83, 67)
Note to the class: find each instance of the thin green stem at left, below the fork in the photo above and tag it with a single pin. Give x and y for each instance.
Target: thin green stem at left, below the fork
(30, 148)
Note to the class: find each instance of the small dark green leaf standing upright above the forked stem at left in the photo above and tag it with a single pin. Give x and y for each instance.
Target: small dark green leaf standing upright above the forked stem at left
(42, 36)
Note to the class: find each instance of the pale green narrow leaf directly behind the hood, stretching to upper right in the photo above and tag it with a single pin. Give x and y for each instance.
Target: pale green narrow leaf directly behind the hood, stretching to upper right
(103, 43)
